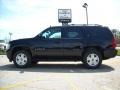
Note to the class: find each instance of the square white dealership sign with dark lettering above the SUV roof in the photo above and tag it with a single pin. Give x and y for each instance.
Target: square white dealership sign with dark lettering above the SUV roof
(64, 15)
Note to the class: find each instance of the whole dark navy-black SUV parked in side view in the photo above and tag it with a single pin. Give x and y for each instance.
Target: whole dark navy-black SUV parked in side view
(89, 44)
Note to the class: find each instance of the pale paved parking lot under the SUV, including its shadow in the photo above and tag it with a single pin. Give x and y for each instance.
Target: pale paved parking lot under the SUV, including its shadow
(60, 76)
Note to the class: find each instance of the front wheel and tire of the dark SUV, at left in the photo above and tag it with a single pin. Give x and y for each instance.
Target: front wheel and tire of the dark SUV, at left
(22, 59)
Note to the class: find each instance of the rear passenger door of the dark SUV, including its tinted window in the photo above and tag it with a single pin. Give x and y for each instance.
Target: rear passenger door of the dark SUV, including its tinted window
(72, 41)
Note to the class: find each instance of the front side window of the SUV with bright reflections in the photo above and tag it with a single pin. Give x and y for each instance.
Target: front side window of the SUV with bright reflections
(52, 33)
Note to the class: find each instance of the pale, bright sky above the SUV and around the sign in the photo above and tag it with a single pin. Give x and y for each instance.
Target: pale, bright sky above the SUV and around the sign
(27, 18)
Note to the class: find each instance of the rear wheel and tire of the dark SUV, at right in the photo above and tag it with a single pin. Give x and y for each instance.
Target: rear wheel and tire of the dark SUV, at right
(92, 59)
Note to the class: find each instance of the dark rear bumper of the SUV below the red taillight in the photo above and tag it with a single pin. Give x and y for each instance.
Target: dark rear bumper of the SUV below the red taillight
(109, 53)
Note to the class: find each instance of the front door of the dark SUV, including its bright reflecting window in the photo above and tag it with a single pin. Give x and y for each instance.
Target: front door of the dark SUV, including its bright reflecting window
(50, 43)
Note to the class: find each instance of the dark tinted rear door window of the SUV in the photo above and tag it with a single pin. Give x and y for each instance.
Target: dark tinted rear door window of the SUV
(72, 32)
